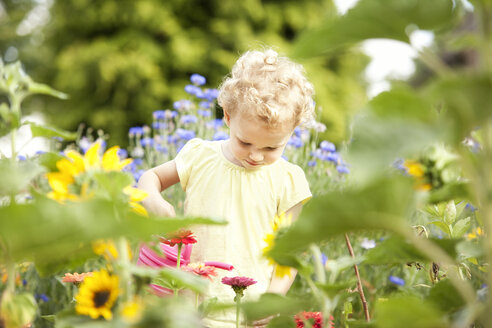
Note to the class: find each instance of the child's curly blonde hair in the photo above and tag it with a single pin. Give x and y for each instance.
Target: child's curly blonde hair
(272, 88)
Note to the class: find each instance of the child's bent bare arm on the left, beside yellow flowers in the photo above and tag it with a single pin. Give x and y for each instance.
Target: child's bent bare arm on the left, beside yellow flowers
(154, 181)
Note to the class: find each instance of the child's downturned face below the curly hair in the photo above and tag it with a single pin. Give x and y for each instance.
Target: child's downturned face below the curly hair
(254, 144)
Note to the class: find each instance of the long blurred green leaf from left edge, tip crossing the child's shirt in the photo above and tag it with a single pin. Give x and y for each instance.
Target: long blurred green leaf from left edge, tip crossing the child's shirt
(47, 231)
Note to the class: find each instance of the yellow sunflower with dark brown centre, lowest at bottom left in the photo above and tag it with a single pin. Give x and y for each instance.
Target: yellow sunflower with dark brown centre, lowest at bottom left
(97, 294)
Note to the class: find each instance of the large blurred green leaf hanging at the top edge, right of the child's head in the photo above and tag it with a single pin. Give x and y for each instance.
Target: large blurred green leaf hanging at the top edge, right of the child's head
(371, 19)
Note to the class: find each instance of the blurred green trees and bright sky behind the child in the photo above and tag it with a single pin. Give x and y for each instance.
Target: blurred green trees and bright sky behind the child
(121, 60)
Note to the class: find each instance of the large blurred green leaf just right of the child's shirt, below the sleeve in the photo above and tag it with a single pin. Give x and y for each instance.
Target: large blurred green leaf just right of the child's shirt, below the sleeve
(380, 205)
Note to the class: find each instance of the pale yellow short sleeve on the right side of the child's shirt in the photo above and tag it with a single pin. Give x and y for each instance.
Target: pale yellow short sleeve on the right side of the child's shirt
(295, 189)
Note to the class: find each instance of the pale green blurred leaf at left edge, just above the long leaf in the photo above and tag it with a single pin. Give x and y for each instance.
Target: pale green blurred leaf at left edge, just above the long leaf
(16, 176)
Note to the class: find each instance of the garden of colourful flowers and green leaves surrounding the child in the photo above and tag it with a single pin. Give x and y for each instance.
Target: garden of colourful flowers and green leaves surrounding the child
(396, 232)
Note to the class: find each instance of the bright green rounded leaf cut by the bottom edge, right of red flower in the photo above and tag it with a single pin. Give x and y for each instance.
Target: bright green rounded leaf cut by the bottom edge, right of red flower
(413, 311)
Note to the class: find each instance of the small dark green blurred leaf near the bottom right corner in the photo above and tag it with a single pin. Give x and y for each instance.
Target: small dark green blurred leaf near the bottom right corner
(445, 296)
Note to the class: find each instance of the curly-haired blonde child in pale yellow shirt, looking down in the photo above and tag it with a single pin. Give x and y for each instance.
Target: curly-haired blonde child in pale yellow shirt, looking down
(242, 179)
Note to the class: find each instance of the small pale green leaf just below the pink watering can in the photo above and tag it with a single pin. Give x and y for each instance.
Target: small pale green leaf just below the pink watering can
(181, 279)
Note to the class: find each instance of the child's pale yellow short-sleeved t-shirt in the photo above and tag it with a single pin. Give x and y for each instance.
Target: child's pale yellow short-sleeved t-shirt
(248, 200)
